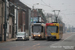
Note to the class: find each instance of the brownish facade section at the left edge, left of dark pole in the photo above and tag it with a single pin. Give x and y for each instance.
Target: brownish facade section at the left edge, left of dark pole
(2, 19)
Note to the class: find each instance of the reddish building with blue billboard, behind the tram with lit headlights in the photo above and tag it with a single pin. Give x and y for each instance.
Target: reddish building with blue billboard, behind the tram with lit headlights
(37, 15)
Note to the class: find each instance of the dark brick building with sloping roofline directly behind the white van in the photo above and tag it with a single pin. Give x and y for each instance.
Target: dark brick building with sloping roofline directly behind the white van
(23, 16)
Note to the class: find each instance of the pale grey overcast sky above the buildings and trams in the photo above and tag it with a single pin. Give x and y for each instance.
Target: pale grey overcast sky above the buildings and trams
(66, 7)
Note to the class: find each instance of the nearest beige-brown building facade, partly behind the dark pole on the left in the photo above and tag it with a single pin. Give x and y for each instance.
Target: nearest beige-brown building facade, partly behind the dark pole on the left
(9, 20)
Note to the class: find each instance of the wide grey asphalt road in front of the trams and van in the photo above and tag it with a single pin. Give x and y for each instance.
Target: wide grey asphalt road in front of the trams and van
(67, 43)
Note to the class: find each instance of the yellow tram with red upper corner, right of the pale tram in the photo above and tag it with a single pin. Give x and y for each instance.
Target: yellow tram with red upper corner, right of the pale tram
(54, 31)
